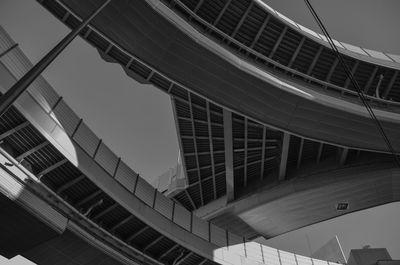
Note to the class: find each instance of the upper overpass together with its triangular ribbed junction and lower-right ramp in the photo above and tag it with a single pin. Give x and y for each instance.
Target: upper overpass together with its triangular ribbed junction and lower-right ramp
(259, 100)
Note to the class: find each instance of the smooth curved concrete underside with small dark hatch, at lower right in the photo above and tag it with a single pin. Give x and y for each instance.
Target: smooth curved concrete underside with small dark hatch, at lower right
(311, 199)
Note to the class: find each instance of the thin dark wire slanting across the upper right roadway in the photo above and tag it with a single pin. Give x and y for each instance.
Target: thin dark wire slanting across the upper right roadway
(354, 82)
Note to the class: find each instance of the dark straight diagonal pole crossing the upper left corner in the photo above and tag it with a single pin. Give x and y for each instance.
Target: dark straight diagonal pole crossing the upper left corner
(22, 84)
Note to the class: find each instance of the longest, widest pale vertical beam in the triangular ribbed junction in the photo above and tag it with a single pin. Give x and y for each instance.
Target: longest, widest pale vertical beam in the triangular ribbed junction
(228, 140)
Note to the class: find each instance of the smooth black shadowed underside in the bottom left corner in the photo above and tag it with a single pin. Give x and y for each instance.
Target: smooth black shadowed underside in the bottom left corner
(23, 234)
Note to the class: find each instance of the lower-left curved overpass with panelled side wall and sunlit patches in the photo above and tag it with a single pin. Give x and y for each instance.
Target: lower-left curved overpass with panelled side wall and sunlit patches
(70, 199)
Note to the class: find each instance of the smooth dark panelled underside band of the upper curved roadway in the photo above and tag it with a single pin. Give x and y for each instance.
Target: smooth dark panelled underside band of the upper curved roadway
(144, 33)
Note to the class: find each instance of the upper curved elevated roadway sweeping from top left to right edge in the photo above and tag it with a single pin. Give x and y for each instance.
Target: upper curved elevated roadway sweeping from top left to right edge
(155, 44)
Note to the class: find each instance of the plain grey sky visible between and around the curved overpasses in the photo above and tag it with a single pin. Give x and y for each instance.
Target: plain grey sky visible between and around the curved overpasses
(136, 121)
